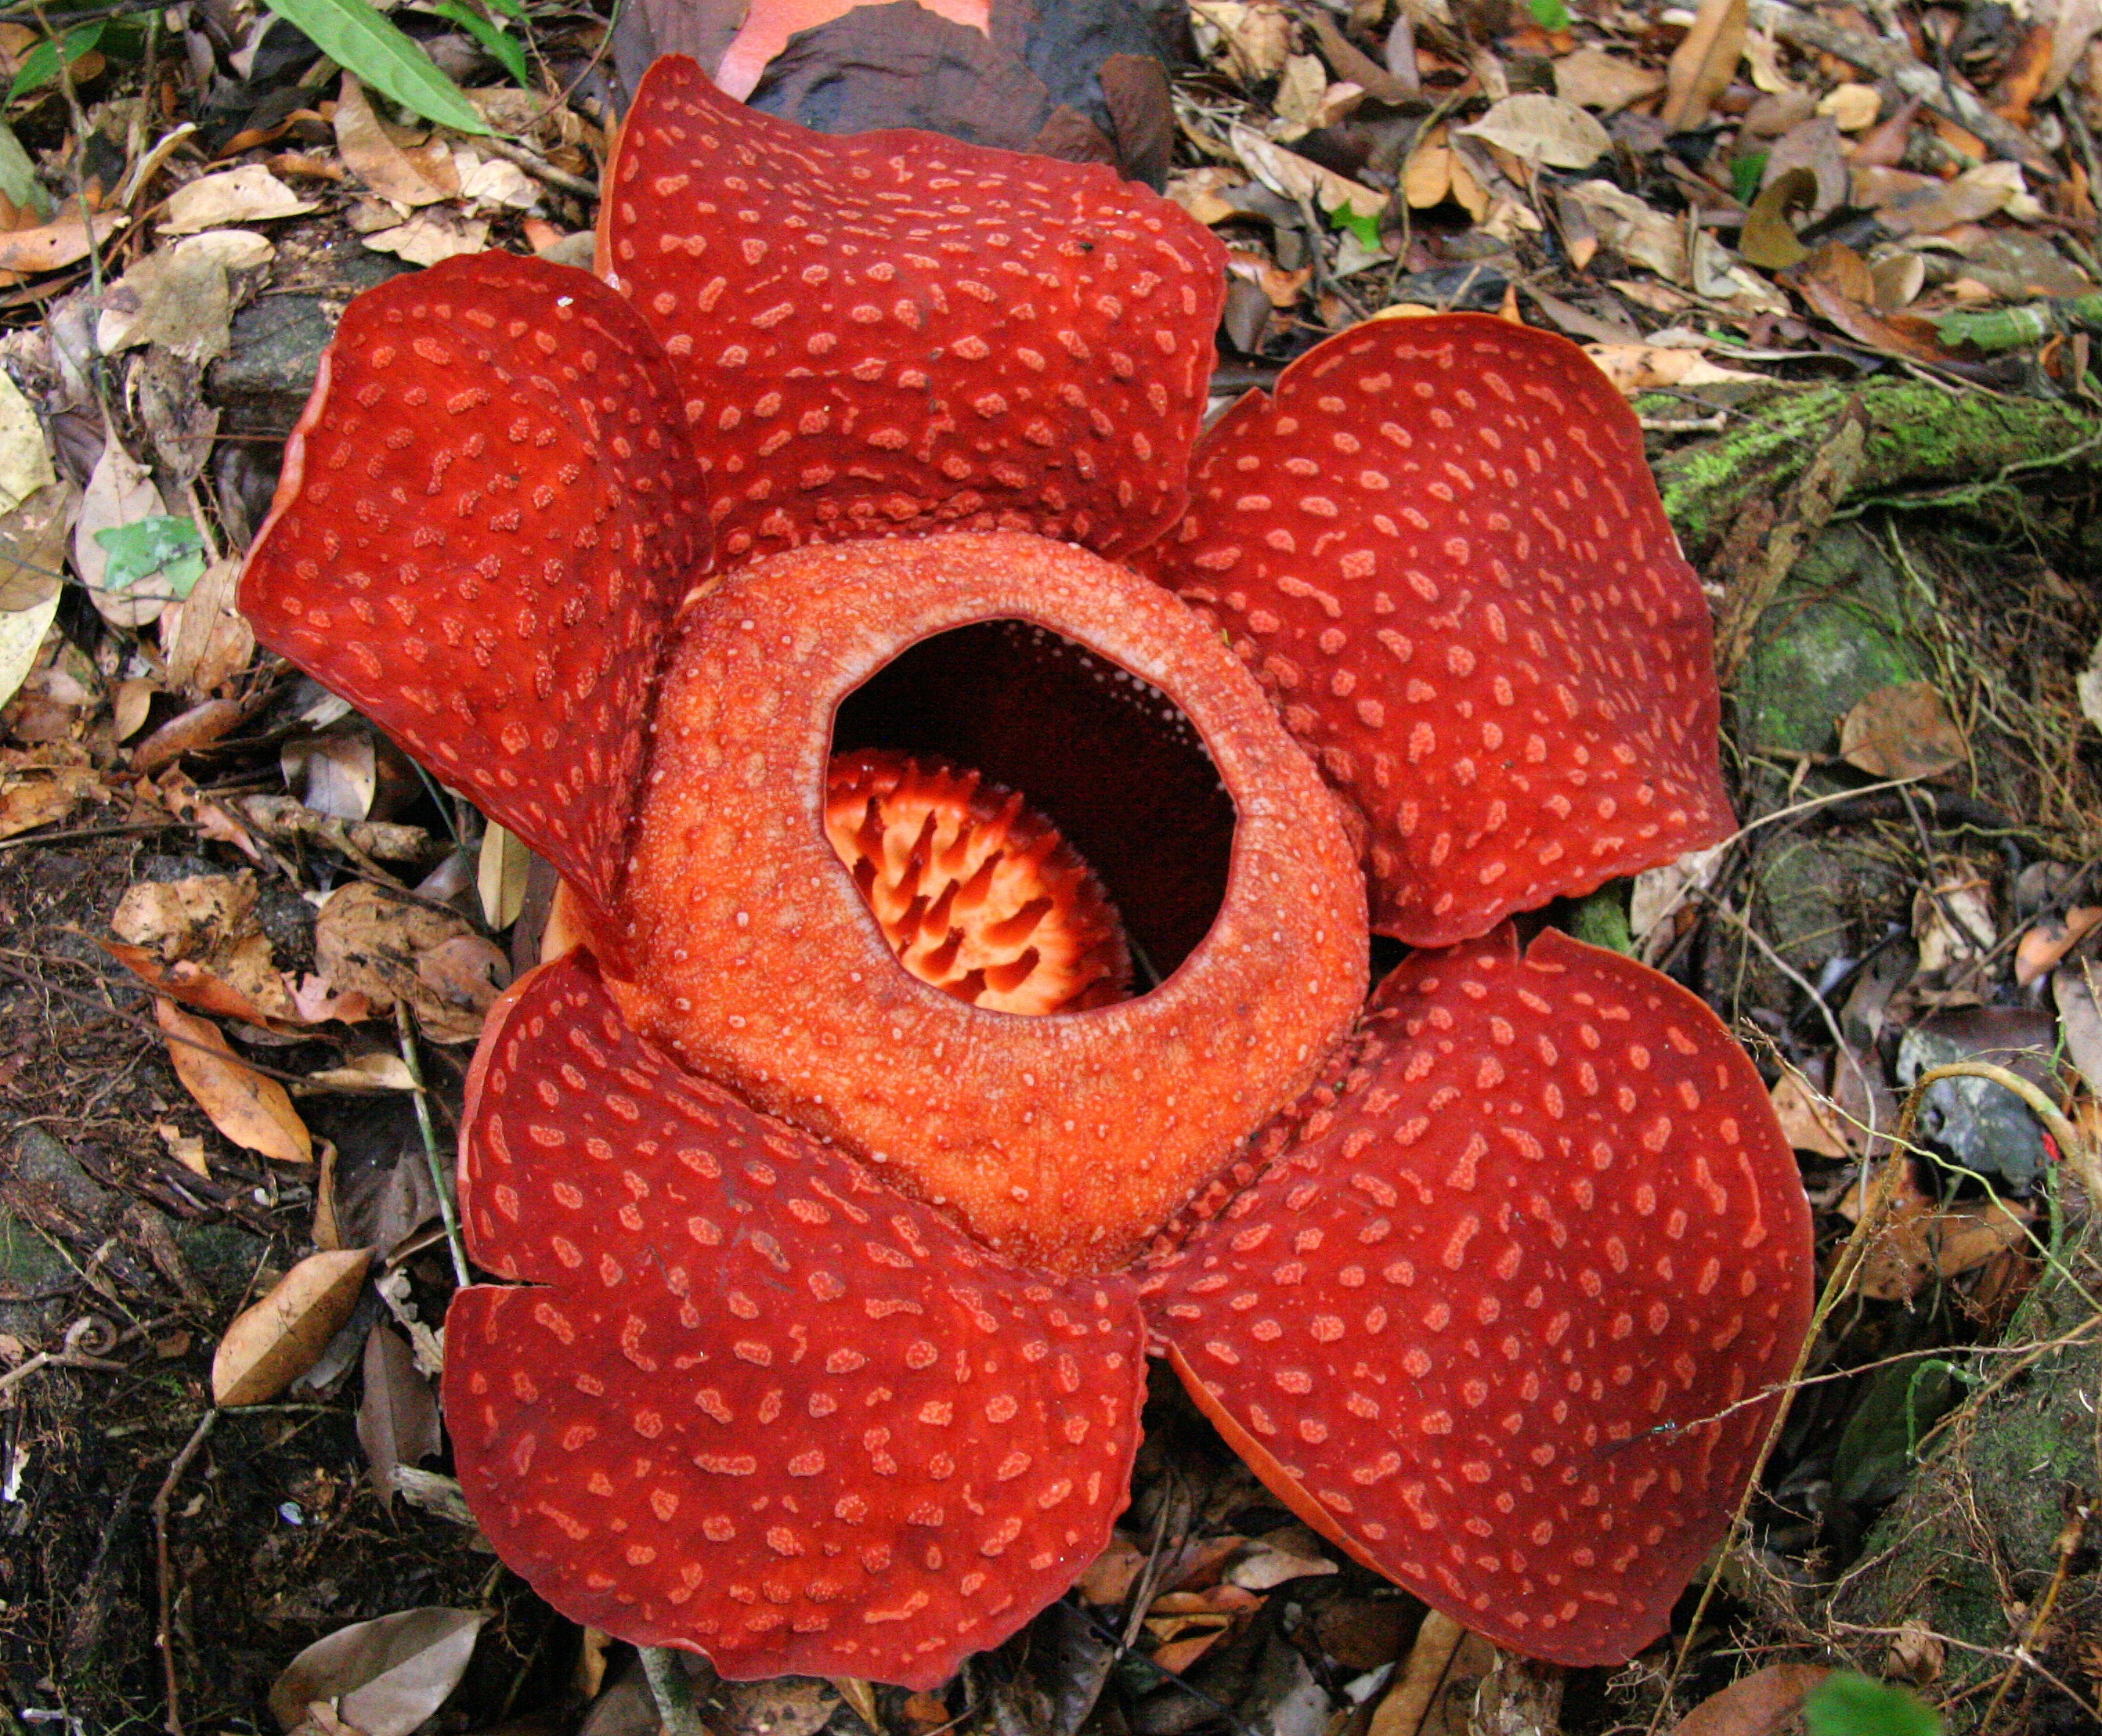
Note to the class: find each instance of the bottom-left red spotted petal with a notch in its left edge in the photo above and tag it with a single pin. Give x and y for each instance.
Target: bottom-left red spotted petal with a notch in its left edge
(764, 1407)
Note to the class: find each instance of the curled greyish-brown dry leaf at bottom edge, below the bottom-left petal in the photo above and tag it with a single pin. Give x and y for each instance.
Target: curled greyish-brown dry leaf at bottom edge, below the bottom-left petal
(386, 1676)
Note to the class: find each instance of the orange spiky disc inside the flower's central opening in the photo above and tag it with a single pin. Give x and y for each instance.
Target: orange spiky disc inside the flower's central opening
(976, 892)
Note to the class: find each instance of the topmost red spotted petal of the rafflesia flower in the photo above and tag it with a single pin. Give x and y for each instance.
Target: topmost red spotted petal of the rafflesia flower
(899, 333)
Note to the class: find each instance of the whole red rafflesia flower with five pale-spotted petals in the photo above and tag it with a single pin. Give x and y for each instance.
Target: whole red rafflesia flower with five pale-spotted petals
(970, 785)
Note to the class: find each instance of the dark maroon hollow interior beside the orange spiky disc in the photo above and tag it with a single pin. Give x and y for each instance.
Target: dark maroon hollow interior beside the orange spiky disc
(1100, 753)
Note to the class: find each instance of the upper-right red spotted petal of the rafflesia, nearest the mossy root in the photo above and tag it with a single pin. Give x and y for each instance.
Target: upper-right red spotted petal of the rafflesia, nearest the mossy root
(1443, 552)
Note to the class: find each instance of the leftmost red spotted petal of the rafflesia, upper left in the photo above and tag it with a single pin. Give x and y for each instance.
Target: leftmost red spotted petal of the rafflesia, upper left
(487, 520)
